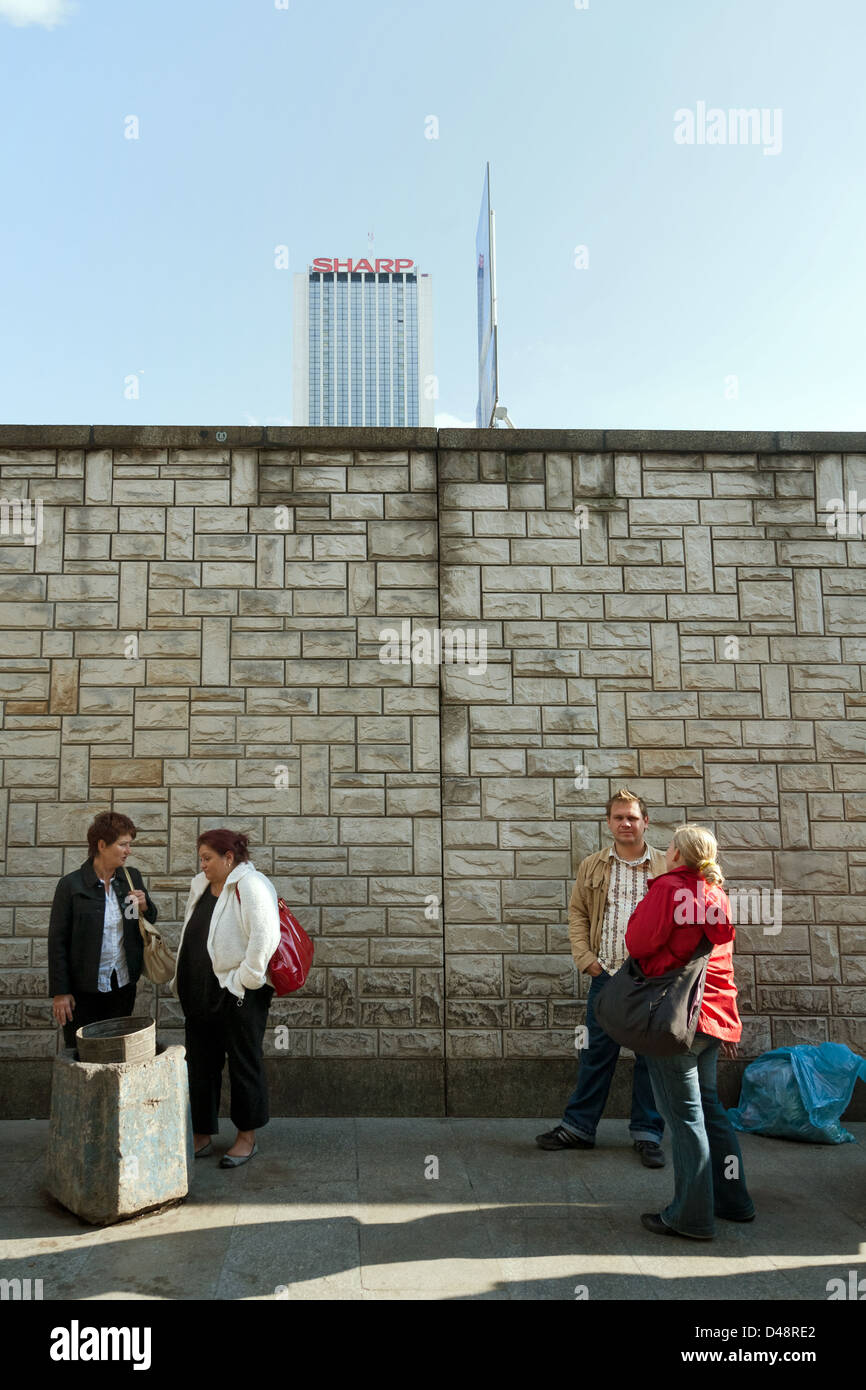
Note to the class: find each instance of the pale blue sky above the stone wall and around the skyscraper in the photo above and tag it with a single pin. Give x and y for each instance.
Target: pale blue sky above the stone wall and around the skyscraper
(307, 127)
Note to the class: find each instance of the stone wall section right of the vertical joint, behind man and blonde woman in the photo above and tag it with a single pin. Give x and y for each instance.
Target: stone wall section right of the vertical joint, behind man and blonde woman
(682, 623)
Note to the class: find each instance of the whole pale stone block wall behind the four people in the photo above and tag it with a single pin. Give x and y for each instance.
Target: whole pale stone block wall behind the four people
(197, 640)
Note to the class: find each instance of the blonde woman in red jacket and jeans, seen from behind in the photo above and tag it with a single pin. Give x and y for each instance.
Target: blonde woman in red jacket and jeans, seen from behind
(664, 933)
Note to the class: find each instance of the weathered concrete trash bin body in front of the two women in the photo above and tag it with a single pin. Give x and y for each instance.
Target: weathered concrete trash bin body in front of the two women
(120, 1138)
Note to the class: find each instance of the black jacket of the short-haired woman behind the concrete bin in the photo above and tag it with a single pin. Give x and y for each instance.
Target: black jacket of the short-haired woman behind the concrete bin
(76, 931)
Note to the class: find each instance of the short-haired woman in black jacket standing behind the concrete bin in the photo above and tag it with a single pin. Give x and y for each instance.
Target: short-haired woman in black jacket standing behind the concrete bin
(95, 942)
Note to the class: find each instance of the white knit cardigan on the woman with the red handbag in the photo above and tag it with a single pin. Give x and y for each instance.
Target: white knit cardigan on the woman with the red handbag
(244, 935)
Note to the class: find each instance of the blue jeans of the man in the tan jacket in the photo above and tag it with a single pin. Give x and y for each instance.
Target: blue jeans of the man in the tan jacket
(597, 1068)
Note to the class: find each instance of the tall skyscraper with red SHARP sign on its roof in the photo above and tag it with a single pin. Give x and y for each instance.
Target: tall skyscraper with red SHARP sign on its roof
(363, 344)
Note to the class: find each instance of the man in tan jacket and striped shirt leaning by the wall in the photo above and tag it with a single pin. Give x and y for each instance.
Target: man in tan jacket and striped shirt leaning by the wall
(608, 889)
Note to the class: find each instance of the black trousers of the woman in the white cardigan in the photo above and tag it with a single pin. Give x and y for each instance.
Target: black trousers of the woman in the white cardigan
(236, 1031)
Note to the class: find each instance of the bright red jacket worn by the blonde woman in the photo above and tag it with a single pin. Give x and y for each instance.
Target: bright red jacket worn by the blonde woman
(668, 925)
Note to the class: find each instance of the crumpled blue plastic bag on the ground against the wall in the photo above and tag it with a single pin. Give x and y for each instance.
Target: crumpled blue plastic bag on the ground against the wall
(800, 1093)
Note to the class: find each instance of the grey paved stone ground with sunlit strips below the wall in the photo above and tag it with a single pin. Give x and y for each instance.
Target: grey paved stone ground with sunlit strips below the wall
(343, 1210)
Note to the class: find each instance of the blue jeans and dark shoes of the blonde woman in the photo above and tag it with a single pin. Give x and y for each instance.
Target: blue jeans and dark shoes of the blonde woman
(708, 1164)
